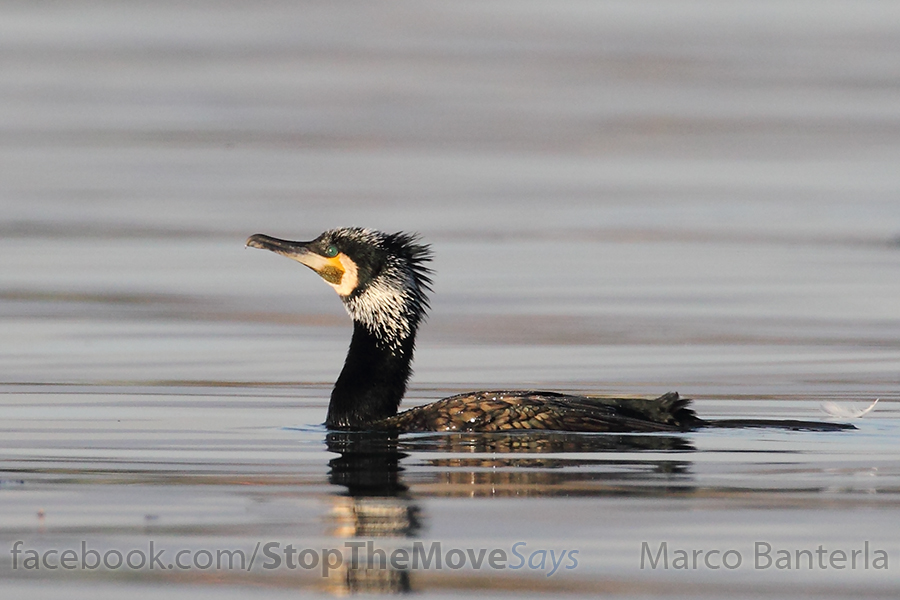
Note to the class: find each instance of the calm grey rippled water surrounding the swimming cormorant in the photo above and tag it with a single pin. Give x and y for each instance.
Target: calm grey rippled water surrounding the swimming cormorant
(622, 197)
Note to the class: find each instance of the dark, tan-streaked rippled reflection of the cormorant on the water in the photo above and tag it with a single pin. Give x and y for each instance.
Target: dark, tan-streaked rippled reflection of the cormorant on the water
(378, 509)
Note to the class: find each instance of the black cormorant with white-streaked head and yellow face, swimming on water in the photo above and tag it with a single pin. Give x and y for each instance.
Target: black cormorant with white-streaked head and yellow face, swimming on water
(384, 282)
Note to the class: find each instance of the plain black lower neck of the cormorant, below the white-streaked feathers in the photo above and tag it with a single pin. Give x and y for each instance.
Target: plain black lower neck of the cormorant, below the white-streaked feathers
(372, 382)
